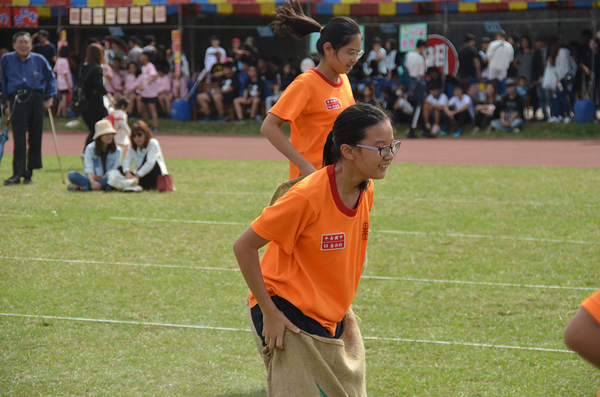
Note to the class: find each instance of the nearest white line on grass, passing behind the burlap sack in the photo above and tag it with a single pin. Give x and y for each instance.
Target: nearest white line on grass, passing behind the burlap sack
(374, 338)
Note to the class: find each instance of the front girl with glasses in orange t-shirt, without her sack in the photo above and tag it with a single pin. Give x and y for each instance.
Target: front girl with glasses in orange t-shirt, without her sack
(317, 233)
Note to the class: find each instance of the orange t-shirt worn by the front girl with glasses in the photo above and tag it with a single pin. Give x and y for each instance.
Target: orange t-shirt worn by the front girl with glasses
(317, 247)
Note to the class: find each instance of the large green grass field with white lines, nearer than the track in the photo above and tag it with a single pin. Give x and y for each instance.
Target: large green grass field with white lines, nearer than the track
(492, 260)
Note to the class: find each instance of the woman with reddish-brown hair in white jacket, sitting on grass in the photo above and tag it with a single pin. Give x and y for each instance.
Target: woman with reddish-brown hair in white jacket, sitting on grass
(149, 161)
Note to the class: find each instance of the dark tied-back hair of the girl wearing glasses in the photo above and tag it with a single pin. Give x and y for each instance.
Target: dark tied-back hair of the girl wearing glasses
(350, 128)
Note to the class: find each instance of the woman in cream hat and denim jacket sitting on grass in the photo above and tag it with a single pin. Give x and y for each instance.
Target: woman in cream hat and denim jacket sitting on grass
(101, 156)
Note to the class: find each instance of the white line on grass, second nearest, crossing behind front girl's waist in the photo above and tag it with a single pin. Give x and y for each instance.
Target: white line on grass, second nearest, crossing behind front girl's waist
(421, 280)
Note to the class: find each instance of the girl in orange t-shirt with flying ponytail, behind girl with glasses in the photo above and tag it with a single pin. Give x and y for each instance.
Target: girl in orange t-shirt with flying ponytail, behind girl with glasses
(312, 102)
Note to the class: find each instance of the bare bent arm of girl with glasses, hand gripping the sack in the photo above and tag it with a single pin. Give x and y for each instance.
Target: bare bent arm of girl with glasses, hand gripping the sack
(246, 251)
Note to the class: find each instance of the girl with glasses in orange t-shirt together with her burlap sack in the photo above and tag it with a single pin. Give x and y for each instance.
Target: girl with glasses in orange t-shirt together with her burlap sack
(317, 236)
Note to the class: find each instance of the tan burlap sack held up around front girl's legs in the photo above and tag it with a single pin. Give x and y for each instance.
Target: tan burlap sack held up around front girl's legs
(315, 366)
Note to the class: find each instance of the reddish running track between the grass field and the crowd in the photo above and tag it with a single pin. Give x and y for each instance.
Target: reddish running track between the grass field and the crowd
(461, 151)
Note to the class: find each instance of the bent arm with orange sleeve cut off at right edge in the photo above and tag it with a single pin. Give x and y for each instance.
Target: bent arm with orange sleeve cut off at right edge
(583, 332)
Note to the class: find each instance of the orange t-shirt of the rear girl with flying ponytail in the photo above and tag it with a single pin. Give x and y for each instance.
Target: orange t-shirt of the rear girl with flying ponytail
(311, 104)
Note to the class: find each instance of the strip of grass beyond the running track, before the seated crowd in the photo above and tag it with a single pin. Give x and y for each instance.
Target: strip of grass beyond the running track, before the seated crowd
(540, 130)
